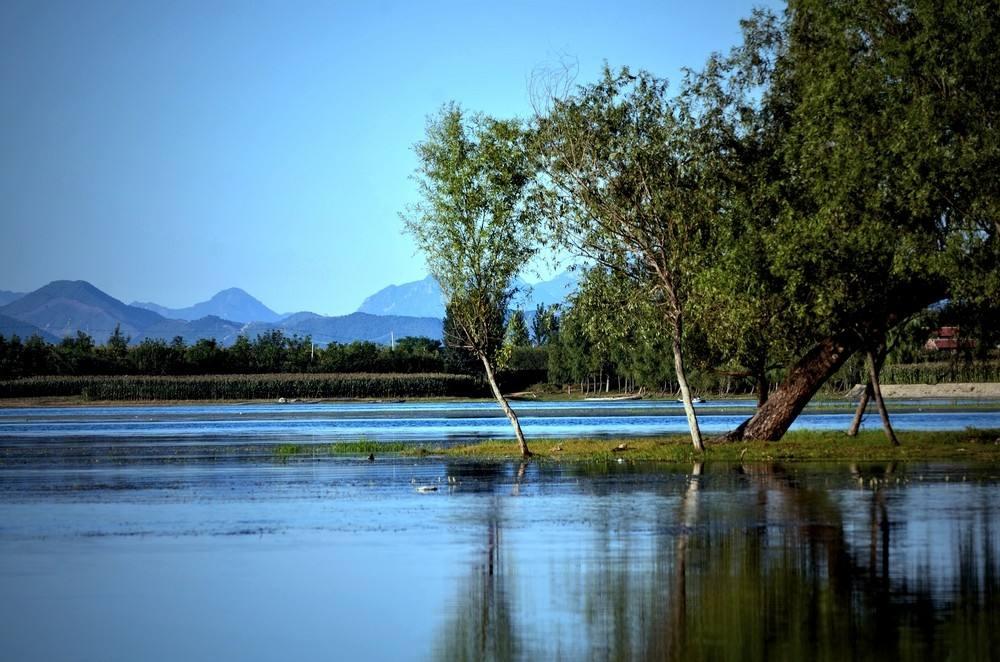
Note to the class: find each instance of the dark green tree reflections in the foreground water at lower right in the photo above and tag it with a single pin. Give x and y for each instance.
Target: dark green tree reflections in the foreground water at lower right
(751, 562)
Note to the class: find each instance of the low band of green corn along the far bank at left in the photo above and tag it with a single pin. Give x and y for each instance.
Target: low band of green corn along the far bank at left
(245, 387)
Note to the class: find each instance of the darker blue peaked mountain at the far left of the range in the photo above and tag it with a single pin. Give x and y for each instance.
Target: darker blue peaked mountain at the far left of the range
(64, 307)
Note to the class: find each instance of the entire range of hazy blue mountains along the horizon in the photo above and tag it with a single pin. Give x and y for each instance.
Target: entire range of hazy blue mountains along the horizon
(62, 308)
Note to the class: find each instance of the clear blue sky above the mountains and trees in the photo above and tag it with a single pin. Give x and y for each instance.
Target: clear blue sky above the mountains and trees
(166, 150)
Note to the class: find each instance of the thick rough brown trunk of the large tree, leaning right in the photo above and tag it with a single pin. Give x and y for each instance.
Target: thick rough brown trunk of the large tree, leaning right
(773, 419)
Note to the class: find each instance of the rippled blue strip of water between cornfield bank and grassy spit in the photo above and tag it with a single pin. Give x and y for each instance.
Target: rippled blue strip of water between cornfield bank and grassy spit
(441, 422)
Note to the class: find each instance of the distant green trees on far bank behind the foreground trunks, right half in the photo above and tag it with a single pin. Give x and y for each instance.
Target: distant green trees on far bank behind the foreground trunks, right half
(592, 348)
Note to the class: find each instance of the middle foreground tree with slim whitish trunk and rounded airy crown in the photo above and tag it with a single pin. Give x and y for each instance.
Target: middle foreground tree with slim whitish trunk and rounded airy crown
(625, 176)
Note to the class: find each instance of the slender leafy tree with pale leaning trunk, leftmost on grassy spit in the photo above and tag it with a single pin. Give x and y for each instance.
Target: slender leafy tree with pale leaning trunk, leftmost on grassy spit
(476, 226)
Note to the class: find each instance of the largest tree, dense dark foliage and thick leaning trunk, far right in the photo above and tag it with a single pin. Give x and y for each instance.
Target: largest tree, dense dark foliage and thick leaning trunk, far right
(883, 122)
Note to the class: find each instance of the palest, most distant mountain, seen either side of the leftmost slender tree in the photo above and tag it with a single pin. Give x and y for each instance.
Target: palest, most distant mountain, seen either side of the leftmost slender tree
(422, 298)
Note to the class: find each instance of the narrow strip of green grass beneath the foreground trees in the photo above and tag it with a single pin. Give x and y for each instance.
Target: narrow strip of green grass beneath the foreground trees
(972, 445)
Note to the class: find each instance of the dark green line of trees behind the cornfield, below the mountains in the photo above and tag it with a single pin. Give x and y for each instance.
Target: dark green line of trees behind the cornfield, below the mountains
(272, 352)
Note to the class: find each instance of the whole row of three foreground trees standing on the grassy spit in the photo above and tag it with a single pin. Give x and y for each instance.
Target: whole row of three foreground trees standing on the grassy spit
(800, 197)
